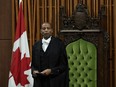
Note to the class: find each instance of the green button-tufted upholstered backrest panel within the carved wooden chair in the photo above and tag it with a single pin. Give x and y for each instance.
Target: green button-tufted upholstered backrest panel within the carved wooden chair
(82, 59)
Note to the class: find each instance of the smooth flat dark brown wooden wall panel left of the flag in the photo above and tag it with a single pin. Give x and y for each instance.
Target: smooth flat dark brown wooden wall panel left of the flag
(5, 41)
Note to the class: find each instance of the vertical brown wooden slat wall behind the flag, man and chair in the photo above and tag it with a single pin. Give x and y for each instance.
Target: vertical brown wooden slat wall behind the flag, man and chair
(38, 11)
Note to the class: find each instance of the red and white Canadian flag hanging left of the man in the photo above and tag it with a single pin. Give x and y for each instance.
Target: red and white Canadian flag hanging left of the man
(20, 71)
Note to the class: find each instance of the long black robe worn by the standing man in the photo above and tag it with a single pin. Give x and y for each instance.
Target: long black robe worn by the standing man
(55, 59)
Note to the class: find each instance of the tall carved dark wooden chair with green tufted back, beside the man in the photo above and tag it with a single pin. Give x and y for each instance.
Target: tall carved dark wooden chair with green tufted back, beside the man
(87, 46)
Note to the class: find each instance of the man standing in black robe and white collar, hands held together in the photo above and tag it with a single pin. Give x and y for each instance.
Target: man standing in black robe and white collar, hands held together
(49, 60)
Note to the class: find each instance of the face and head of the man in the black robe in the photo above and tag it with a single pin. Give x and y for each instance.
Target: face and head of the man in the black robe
(46, 30)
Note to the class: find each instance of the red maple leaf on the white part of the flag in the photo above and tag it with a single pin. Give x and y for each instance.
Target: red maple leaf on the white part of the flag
(18, 67)
